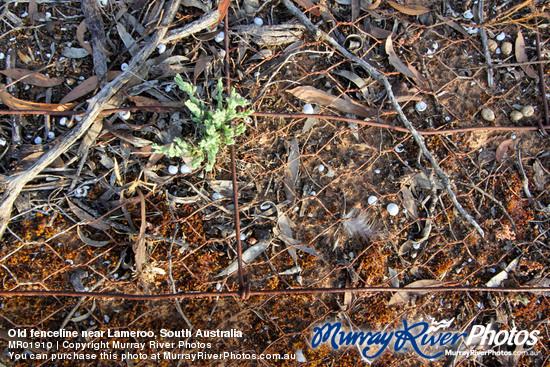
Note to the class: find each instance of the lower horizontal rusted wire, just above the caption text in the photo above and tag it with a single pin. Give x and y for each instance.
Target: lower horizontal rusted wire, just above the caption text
(272, 292)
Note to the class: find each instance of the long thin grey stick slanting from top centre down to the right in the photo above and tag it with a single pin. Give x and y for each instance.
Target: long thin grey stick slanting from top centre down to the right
(379, 77)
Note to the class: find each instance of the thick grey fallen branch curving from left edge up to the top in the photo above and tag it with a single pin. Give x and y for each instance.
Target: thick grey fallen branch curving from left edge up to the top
(14, 185)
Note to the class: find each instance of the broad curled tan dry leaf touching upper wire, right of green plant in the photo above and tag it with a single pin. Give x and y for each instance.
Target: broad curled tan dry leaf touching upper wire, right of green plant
(314, 95)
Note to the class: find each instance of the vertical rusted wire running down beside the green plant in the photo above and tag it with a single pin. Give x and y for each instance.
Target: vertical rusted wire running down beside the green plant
(233, 166)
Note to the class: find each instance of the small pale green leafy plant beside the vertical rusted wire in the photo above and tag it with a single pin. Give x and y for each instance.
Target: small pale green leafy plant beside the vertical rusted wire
(214, 126)
